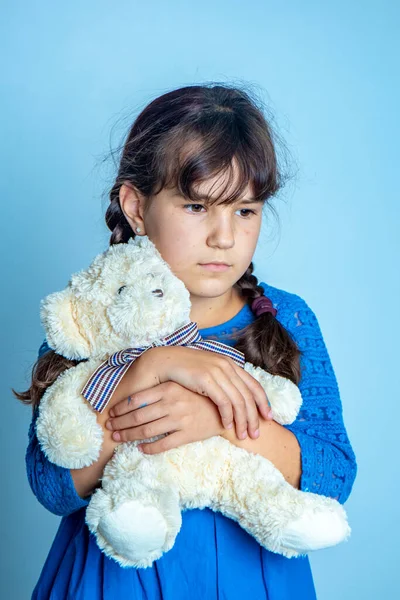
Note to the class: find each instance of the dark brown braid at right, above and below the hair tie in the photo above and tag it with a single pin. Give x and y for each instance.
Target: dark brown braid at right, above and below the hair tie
(265, 342)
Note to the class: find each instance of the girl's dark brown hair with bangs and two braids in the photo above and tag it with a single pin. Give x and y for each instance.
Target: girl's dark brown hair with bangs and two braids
(180, 139)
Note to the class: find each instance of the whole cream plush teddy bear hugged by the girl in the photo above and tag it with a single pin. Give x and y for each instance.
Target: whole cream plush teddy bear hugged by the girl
(127, 299)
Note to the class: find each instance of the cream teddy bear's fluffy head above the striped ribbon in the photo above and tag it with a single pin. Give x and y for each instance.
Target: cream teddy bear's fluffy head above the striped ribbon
(128, 297)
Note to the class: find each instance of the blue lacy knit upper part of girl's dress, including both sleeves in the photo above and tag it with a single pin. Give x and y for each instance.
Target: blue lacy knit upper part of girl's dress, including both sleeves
(328, 461)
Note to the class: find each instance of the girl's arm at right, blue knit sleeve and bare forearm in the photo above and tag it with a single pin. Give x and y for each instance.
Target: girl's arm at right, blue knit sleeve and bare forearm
(313, 453)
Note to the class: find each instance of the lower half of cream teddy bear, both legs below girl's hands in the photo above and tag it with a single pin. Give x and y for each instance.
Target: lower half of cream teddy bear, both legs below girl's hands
(136, 516)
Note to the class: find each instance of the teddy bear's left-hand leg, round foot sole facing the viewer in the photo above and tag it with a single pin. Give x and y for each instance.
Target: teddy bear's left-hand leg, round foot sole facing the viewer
(135, 516)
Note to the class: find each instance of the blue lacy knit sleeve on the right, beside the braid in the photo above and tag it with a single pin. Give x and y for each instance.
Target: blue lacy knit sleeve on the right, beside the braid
(328, 461)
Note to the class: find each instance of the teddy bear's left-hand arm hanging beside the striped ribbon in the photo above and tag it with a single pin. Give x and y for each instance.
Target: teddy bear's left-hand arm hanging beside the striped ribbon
(67, 427)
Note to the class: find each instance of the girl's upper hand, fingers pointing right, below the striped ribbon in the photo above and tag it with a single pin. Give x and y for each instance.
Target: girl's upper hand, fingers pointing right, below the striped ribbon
(236, 393)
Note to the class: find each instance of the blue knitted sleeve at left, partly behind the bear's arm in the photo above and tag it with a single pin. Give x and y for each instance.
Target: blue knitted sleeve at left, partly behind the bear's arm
(52, 485)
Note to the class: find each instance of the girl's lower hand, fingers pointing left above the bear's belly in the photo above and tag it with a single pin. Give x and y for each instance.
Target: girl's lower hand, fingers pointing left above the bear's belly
(164, 408)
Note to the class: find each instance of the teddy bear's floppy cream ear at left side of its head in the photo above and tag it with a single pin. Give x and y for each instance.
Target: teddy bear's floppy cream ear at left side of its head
(58, 316)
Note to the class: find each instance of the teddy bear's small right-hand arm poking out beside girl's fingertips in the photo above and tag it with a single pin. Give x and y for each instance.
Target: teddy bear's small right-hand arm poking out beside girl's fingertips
(283, 395)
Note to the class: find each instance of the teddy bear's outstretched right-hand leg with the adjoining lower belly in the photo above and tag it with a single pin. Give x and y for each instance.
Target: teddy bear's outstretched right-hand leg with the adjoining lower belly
(248, 488)
